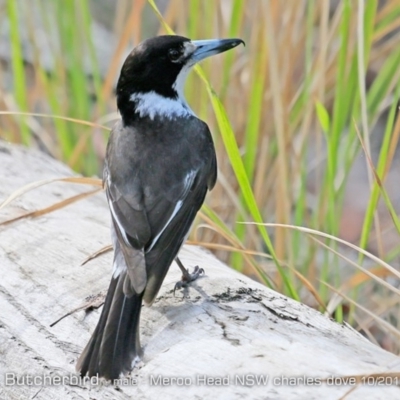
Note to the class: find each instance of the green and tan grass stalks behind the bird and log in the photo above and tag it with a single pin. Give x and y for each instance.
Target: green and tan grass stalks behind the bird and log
(304, 121)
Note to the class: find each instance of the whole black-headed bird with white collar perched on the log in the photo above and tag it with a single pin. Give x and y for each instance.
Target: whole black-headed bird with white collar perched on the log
(159, 165)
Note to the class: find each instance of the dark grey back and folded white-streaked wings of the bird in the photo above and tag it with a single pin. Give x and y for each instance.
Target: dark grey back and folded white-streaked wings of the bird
(154, 198)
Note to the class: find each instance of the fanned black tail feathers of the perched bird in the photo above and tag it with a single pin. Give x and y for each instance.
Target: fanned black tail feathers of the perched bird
(115, 343)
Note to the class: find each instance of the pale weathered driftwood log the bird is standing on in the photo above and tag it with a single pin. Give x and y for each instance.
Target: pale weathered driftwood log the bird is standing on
(226, 333)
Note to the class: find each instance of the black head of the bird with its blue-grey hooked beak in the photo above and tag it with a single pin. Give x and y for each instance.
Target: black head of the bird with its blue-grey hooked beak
(159, 65)
